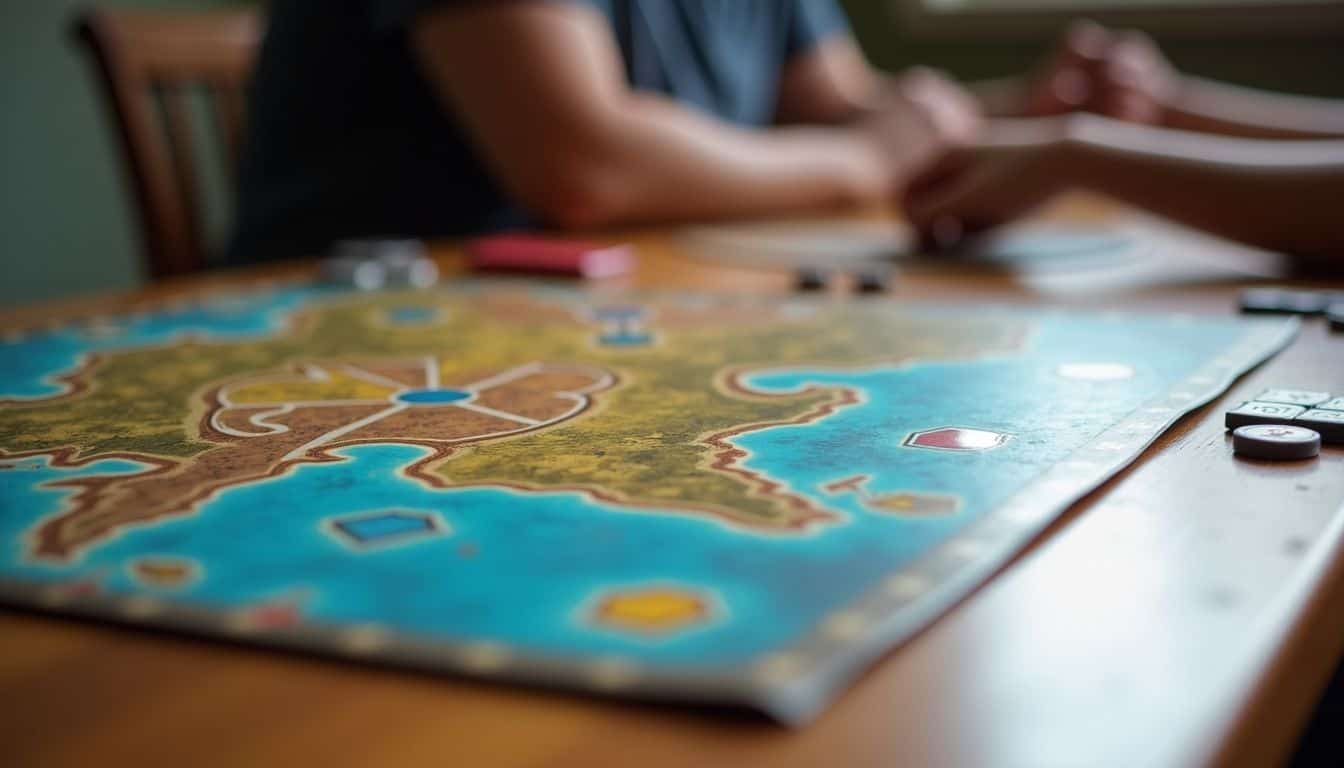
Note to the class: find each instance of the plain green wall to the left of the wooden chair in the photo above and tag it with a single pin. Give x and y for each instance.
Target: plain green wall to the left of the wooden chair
(67, 224)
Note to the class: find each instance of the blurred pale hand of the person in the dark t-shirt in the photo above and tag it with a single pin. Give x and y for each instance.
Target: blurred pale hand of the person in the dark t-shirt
(923, 115)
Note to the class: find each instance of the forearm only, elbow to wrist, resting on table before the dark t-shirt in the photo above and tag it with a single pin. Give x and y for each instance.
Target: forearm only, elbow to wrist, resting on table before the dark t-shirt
(655, 161)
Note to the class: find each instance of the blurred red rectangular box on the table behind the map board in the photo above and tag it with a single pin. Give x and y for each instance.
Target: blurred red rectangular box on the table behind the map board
(544, 255)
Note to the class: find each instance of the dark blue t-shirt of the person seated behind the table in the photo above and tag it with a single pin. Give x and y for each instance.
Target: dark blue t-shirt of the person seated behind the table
(347, 139)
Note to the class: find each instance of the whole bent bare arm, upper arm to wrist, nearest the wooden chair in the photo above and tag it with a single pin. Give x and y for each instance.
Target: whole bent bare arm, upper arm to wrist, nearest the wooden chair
(565, 135)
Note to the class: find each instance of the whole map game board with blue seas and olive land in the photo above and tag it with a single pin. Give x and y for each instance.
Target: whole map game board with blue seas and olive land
(740, 501)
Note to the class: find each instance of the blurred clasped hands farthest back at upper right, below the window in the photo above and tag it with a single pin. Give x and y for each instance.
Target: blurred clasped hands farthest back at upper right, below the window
(1119, 75)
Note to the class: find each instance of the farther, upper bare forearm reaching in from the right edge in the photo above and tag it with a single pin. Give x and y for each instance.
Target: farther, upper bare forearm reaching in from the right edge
(1212, 107)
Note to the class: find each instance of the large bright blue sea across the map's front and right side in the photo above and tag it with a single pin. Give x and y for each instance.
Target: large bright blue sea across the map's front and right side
(526, 570)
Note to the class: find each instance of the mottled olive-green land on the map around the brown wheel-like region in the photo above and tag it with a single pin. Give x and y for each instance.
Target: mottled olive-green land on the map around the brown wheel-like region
(644, 442)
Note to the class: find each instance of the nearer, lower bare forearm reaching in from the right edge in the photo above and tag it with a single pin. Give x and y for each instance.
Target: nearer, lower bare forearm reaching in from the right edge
(1282, 196)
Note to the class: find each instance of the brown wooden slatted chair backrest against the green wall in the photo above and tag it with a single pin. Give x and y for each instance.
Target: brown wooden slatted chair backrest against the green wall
(150, 64)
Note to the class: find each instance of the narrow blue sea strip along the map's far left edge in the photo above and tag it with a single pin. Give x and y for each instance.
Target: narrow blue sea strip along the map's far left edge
(30, 365)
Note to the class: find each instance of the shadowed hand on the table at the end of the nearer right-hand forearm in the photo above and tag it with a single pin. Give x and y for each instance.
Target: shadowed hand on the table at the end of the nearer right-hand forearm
(972, 189)
